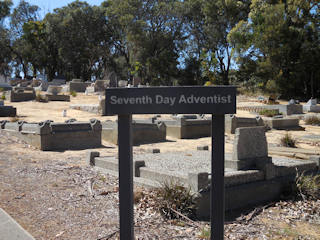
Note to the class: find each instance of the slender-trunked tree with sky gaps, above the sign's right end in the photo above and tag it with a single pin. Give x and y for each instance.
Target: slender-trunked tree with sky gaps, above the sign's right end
(208, 23)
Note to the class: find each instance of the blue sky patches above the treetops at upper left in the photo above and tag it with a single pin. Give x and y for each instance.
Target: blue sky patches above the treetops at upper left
(48, 5)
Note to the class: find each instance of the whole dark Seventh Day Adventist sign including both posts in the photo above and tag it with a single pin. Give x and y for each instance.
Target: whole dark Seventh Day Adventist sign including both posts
(202, 100)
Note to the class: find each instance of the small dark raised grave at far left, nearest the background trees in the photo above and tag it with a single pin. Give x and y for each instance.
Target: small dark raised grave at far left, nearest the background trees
(20, 94)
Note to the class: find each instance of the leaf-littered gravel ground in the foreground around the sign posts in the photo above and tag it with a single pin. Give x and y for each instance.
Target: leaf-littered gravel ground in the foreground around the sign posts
(53, 195)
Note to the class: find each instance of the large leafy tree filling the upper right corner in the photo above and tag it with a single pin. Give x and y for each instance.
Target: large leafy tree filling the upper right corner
(282, 38)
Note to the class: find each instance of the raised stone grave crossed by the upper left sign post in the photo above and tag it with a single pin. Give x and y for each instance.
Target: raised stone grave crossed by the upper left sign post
(144, 131)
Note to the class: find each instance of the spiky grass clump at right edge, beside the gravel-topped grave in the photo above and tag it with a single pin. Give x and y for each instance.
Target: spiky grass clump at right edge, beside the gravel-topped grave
(308, 186)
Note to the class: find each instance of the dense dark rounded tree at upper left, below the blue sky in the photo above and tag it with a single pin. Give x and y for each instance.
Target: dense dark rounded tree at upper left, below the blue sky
(81, 39)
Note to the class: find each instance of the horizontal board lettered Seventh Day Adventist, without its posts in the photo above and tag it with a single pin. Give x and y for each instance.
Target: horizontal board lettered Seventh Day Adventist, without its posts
(218, 100)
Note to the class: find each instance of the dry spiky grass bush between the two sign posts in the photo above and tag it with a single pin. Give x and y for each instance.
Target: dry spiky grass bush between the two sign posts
(174, 197)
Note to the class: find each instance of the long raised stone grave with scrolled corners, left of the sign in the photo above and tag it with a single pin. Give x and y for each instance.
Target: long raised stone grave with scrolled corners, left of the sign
(56, 136)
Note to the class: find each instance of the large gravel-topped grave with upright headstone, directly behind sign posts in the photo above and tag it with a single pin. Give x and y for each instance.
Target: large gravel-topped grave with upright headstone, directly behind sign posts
(251, 176)
